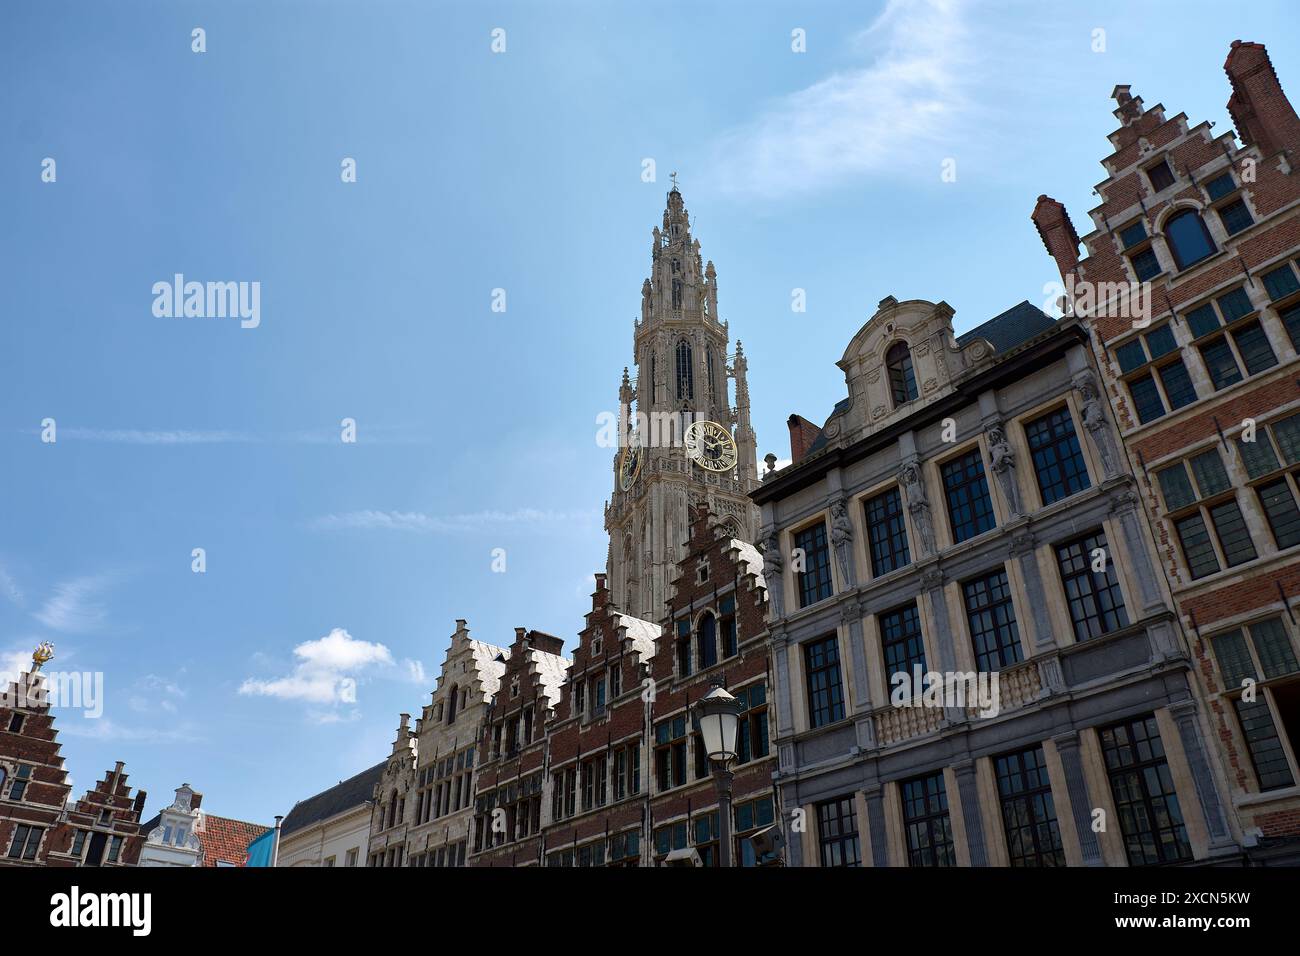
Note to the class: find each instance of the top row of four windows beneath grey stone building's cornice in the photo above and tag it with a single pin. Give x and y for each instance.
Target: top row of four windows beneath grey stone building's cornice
(1059, 466)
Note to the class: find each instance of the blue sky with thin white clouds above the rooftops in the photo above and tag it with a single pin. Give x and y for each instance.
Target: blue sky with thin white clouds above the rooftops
(330, 563)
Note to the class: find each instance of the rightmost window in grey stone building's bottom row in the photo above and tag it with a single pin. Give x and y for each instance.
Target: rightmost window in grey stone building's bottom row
(1151, 819)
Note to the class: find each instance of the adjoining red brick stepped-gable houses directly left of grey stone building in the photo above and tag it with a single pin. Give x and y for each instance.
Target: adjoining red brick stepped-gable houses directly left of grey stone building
(610, 772)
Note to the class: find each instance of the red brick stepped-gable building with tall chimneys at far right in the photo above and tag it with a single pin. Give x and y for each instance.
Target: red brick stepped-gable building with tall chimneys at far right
(1214, 226)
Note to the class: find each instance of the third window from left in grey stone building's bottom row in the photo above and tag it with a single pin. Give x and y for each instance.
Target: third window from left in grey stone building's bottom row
(1029, 812)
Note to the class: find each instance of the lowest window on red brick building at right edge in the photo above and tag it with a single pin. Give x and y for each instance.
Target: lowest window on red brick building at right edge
(1260, 672)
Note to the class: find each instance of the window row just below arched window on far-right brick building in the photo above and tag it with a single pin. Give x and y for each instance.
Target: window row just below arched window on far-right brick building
(1225, 332)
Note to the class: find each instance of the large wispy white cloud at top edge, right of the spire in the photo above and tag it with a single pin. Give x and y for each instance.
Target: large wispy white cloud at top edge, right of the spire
(907, 98)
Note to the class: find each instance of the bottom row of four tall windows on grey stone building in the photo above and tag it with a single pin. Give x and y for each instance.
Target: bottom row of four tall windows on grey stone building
(1151, 819)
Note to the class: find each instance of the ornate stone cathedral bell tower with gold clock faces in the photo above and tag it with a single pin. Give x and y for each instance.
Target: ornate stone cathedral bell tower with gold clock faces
(687, 442)
